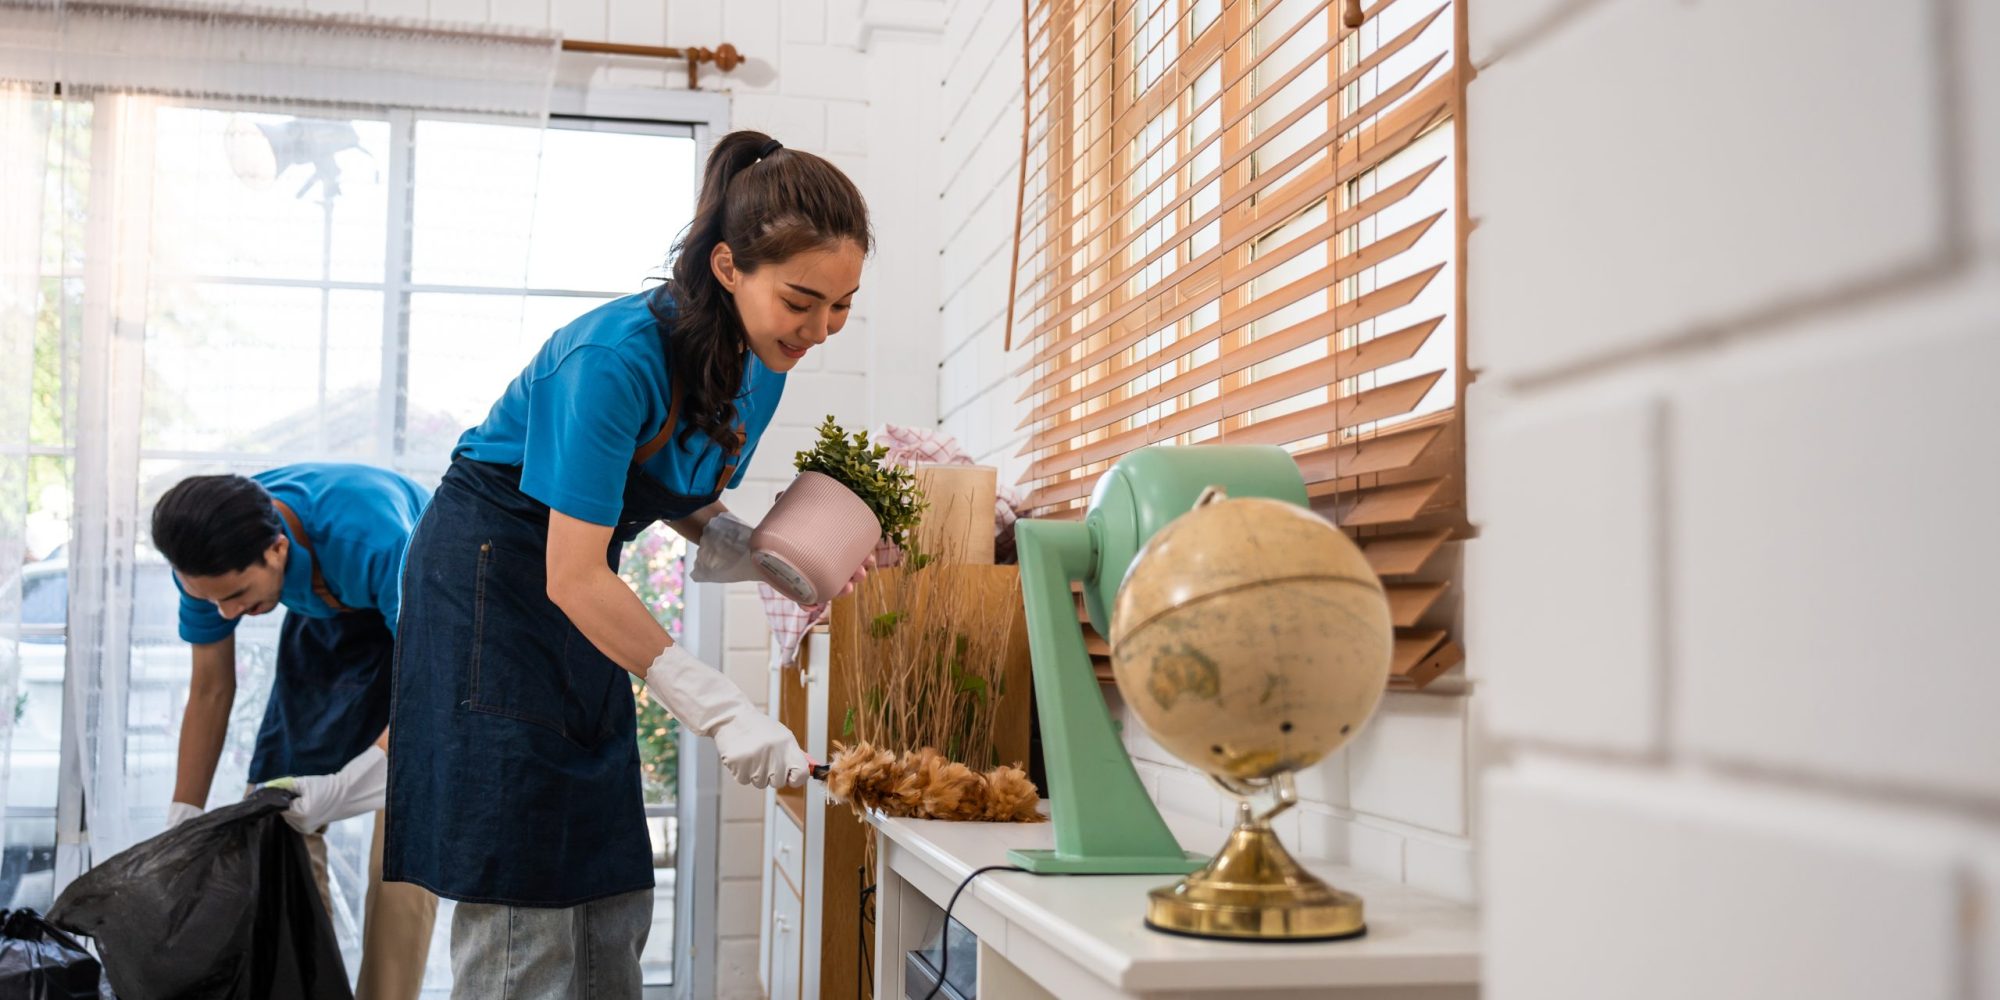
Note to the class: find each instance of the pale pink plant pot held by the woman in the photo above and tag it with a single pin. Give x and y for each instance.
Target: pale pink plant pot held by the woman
(815, 537)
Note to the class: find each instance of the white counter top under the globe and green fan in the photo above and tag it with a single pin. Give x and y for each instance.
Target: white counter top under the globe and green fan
(1097, 923)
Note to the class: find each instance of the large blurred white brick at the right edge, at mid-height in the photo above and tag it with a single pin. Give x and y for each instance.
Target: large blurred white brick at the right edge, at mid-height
(1853, 613)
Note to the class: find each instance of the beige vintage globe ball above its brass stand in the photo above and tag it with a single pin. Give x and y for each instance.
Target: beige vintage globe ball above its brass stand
(1251, 639)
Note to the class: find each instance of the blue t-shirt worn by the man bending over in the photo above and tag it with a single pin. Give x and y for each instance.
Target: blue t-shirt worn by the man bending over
(359, 521)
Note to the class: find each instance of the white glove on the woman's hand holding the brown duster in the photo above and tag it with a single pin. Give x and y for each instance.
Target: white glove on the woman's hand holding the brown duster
(755, 747)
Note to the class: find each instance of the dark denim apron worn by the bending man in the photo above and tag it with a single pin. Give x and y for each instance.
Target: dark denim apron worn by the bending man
(329, 695)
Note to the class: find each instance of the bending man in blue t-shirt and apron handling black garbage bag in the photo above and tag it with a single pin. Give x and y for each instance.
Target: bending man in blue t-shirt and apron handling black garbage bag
(325, 543)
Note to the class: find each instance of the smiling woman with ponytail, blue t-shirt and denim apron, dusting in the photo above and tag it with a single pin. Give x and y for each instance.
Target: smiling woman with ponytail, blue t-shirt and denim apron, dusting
(515, 775)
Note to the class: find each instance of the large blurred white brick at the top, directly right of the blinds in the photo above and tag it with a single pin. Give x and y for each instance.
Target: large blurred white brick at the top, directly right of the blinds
(1661, 201)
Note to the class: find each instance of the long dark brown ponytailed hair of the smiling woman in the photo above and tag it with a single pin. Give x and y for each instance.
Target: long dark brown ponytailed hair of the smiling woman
(767, 203)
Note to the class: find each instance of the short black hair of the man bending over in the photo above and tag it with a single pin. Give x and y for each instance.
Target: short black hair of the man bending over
(215, 525)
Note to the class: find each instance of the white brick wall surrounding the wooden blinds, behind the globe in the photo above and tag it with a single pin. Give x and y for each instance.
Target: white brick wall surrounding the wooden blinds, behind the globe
(1405, 781)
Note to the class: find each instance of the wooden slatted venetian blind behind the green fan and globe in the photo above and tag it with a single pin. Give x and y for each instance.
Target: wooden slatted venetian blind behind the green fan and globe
(1241, 223)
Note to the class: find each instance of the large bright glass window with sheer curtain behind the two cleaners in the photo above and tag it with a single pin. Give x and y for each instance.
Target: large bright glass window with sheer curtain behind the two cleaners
(329, 285)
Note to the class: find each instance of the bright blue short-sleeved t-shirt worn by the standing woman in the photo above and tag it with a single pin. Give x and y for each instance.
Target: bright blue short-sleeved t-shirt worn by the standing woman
(587, 403)
